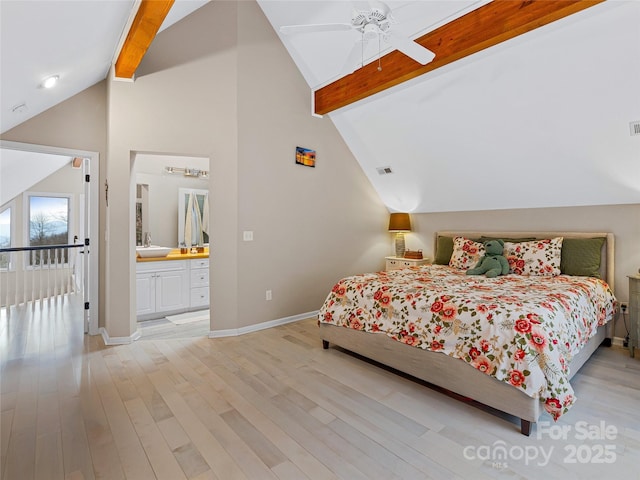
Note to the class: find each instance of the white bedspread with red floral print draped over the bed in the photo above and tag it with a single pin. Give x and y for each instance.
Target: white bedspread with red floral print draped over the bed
(521, 330)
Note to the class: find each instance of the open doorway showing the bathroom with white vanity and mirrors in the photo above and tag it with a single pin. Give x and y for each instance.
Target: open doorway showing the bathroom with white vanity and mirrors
(170, 213)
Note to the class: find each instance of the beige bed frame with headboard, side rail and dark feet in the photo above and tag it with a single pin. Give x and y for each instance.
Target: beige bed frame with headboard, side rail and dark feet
(457, 376)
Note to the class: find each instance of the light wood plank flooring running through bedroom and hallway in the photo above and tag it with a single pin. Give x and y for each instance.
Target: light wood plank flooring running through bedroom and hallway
(275, 405)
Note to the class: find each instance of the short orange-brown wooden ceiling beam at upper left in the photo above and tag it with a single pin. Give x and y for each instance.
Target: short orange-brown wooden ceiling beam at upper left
(144, 28)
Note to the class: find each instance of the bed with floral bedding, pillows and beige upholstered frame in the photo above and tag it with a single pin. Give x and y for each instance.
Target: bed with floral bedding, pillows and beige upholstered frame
(512, 342)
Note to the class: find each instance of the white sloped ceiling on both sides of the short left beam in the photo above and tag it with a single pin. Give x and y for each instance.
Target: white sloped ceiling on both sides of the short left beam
(78, 41)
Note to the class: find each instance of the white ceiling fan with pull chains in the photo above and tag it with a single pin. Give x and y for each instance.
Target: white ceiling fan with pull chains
(373, 20)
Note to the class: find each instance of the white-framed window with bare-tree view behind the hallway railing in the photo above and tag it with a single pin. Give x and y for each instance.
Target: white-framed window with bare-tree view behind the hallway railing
(48, 225)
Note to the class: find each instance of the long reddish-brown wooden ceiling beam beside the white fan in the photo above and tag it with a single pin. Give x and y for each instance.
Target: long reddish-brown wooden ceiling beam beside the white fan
(482, 28)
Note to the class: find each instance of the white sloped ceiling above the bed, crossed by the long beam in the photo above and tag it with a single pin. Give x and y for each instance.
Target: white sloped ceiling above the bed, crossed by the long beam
(539, 120)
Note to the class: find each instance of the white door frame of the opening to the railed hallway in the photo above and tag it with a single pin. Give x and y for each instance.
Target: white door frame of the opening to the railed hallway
(92, 214)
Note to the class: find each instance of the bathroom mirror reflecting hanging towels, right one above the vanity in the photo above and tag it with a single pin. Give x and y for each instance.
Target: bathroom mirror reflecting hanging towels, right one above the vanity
(193, 217)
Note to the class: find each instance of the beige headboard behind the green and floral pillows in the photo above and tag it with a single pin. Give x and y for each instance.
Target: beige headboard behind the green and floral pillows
(607, 263)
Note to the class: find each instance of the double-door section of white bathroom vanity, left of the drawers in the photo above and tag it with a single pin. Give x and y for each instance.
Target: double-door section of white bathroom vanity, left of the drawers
(162, 286)
